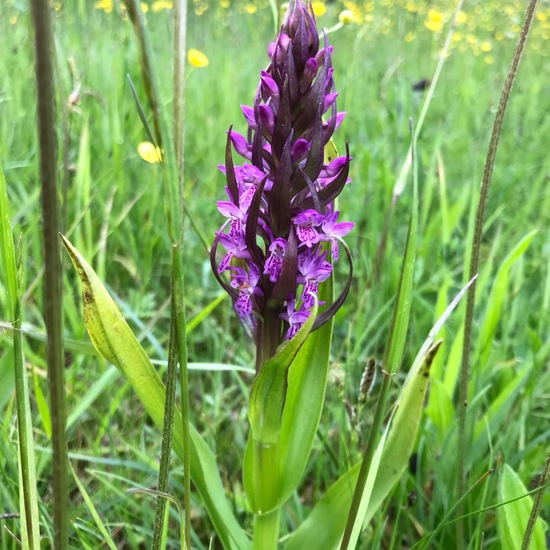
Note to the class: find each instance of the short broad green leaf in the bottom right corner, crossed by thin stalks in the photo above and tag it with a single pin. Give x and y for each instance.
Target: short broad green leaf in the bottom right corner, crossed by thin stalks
(513, 517)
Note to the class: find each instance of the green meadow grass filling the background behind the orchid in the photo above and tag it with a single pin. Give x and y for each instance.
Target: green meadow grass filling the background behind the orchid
(115, 217)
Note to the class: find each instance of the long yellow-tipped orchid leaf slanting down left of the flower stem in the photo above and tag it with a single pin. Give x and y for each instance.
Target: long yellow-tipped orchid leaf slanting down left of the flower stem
(114, 339)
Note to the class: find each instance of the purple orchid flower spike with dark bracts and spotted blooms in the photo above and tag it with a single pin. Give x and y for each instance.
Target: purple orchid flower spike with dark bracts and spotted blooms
(282, 222)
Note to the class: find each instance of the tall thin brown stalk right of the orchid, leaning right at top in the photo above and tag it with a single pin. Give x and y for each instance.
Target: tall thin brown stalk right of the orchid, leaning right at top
(474, 260)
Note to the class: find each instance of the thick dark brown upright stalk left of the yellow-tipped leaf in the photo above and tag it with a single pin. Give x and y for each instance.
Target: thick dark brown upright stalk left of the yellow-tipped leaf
(53, 296)
